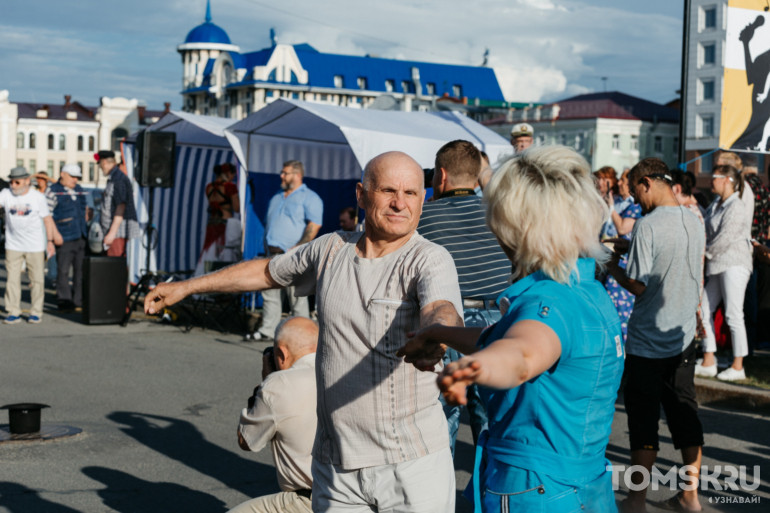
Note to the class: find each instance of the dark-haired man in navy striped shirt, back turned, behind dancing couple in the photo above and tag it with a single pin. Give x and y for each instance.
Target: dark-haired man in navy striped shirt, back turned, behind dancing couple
(456, 220)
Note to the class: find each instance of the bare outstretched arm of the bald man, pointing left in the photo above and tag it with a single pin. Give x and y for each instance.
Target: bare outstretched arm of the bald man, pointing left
(247, 276)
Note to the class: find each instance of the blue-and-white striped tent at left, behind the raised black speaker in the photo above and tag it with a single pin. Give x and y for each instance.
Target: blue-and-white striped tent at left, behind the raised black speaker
(179, 212)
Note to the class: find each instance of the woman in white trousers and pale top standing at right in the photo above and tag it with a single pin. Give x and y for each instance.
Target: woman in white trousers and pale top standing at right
(728, 268)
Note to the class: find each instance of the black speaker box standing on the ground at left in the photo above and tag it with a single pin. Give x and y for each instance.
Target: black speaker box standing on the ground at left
(104, 289)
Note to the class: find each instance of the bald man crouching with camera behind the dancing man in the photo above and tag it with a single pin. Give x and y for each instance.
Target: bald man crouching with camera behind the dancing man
(282, 411)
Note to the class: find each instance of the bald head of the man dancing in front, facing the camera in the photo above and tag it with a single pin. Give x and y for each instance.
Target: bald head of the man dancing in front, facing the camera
(393, 198)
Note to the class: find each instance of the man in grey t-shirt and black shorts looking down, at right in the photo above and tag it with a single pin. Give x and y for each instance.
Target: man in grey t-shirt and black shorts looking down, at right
(665, 266)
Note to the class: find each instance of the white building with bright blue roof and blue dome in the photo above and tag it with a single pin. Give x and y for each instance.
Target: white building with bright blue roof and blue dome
(219, 80)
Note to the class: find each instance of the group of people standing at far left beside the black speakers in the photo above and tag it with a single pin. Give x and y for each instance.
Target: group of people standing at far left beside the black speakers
(50, 221)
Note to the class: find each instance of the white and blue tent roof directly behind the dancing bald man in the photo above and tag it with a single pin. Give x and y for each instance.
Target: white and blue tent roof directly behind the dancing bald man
(332, 134)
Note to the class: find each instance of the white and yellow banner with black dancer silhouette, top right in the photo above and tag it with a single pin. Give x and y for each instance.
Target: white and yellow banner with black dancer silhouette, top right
(745, 123)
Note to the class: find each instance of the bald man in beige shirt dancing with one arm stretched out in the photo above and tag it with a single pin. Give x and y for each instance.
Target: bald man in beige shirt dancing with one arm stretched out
(382, 437)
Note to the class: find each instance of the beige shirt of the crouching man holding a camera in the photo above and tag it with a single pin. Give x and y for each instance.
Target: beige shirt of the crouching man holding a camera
(285, 413)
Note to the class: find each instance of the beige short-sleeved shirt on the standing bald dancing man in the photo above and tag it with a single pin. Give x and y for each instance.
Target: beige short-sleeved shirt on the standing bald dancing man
(373, 409)
